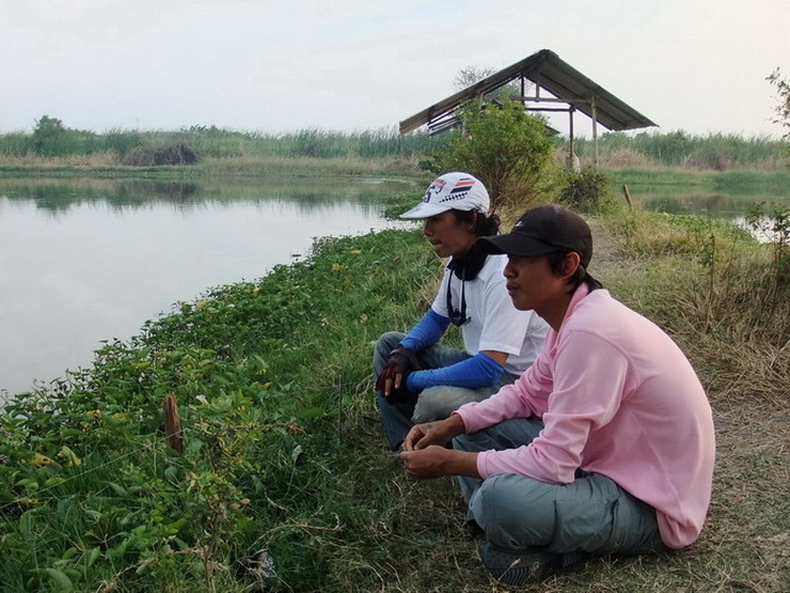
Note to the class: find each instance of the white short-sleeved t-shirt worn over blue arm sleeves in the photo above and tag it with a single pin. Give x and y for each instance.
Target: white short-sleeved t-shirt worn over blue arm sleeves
(494, 323)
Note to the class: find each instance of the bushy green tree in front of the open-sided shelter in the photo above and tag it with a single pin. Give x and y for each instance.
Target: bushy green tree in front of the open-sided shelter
(501, 144)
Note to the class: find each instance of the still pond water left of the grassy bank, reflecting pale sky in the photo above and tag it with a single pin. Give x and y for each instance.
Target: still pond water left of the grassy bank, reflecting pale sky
(83, 261)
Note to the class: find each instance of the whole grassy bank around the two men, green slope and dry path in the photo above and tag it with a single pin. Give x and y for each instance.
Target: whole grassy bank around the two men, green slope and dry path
(283, 450)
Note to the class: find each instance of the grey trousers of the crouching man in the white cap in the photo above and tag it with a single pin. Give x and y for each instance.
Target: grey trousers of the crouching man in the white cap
(434, 403)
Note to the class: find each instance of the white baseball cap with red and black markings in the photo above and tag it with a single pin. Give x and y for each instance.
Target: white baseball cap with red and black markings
(452, 191)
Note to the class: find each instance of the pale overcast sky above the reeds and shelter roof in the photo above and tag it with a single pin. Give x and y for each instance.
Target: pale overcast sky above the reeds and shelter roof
(278, 66)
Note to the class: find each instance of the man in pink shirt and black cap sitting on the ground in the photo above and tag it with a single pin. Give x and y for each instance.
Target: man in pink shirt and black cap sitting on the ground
(604, 446)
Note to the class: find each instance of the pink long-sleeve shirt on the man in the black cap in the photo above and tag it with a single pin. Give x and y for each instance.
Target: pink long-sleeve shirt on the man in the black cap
(617, 397)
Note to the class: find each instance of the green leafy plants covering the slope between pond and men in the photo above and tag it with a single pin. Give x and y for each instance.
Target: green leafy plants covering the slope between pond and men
(266, 374)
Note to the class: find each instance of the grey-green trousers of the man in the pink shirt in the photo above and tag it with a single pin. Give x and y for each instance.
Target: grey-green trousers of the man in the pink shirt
(592, 514)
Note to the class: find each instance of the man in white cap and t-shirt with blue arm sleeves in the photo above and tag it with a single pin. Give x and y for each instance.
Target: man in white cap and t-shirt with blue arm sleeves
(419, 379)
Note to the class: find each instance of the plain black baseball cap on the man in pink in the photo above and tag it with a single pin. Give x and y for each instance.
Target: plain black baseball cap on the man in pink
(542, 230)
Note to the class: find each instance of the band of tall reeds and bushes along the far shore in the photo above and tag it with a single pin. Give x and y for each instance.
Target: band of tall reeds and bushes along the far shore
(52, 142)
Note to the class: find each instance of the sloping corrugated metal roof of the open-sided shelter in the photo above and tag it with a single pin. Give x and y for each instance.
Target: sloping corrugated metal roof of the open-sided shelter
(547, 71)
